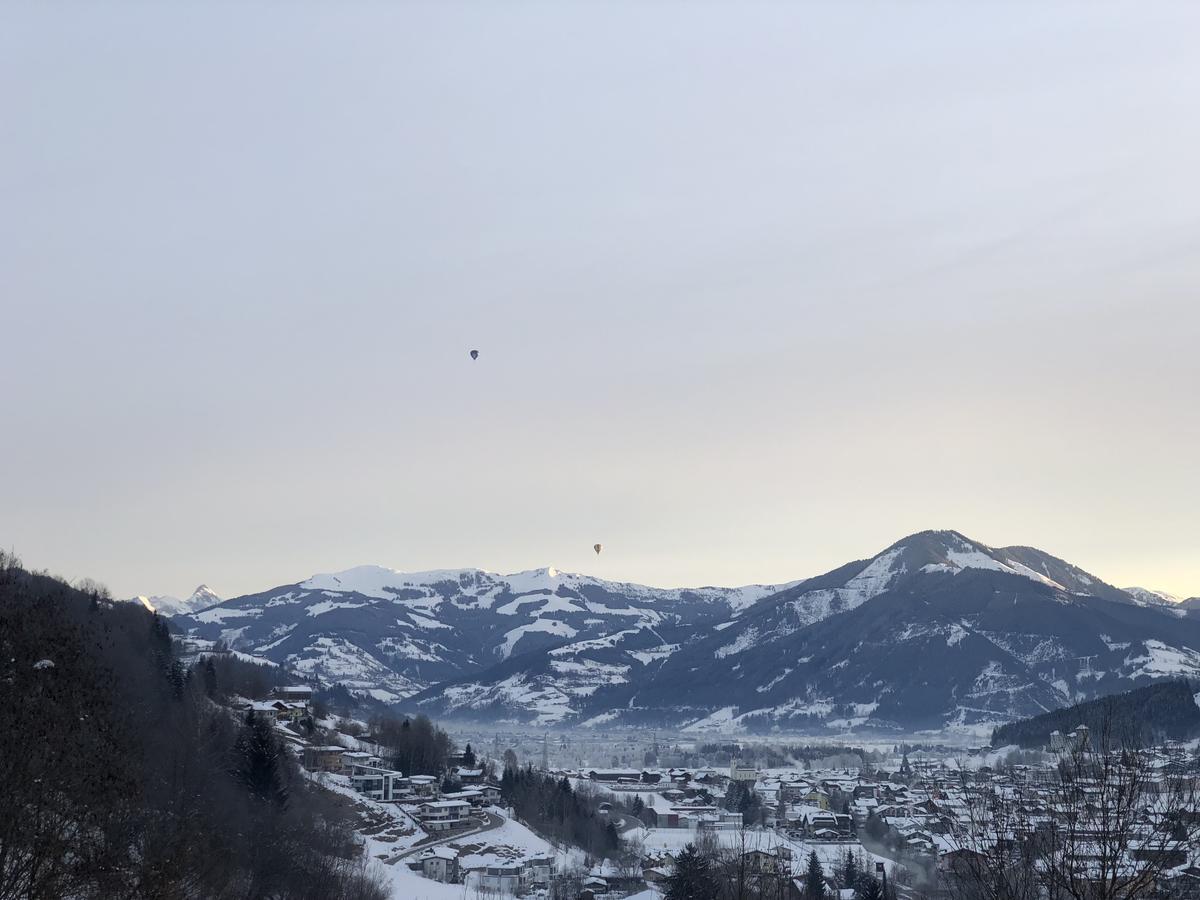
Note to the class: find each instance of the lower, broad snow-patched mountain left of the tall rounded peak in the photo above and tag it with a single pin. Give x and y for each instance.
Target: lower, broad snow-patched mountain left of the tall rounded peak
(394, 634)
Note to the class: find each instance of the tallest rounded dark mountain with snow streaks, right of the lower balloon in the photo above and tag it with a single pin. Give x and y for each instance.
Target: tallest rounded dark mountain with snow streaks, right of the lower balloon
(937, 631)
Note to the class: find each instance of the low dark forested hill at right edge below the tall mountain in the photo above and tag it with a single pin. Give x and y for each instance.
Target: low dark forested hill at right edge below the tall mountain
(1144, 717)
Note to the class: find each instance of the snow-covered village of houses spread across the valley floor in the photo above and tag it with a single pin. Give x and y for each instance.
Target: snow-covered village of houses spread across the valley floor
(920, 821)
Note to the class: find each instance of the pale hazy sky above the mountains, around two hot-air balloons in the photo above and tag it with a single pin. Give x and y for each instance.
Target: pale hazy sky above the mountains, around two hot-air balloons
(758, 289)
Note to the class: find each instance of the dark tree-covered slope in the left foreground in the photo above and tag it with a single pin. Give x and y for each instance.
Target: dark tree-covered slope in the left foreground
(122, 778)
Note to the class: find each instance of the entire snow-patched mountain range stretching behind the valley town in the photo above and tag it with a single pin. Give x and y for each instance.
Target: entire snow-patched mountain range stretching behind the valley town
(935, 632)
